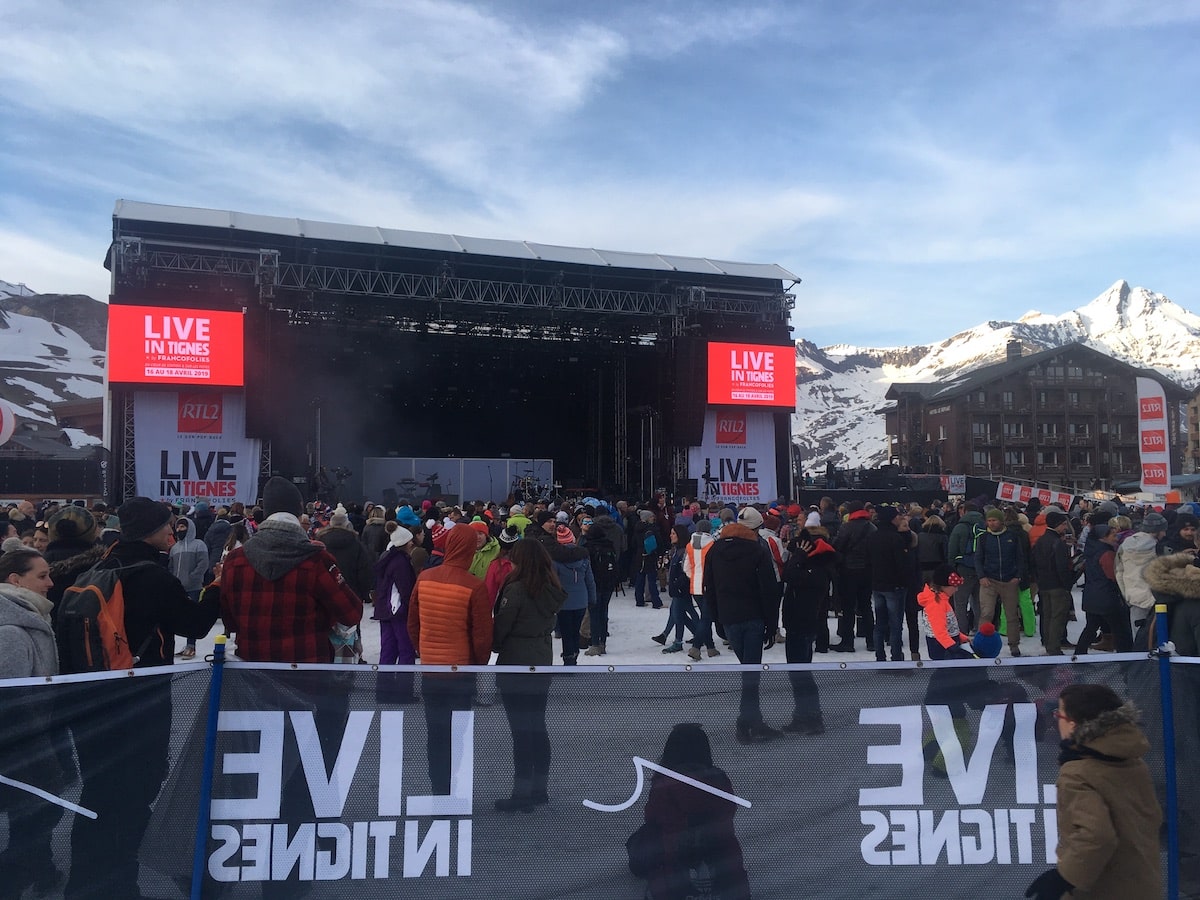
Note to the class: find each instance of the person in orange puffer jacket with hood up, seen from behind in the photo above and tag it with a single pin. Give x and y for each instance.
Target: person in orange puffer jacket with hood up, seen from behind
(451, 623)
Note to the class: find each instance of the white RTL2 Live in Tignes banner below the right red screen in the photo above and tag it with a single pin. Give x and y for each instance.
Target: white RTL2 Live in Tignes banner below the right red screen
(737, 461)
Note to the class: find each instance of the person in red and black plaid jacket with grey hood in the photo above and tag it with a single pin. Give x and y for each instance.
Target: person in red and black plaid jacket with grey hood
(281, 593)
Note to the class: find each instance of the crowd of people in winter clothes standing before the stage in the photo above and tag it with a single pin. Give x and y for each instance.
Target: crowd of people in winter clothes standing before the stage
(452, 586)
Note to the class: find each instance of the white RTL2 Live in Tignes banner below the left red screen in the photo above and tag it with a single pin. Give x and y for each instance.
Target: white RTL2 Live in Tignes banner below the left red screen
(194, 447)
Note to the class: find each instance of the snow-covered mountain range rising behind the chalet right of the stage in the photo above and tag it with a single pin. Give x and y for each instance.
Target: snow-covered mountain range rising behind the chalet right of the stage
(841, 389)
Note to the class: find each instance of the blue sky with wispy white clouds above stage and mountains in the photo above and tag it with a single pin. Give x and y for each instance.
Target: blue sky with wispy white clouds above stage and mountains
(923, 166)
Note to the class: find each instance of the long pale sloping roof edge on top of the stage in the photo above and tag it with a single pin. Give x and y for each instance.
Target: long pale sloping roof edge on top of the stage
(136, 212)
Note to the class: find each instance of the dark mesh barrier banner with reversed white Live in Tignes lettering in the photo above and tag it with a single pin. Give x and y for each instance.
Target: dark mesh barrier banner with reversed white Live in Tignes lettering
(899, 781)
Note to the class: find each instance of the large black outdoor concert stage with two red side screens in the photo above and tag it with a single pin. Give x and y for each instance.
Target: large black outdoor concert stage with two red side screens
(244, 346)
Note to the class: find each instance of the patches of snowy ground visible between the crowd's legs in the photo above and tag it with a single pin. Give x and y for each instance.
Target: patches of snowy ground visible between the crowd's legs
(631, 629)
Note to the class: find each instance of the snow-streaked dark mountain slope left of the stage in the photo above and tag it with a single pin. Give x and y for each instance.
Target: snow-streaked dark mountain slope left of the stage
(52, 350)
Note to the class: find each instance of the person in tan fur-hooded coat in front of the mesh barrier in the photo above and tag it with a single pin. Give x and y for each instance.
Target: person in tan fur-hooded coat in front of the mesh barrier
(1108, 813)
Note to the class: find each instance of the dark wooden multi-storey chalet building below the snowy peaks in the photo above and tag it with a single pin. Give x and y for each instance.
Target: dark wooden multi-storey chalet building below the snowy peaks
(1066, 417)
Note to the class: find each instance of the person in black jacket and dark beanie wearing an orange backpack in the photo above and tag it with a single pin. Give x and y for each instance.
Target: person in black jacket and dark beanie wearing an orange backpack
(122, 743)
